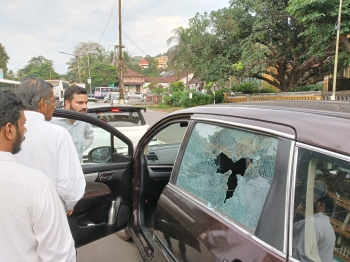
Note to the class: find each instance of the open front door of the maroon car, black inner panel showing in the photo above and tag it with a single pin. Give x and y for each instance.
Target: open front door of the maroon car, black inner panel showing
(107, 164)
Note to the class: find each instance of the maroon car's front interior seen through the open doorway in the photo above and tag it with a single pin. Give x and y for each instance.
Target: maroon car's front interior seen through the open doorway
(156, 167)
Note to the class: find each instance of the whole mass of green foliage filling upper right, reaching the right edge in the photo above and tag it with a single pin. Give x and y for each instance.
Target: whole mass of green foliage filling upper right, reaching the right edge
(261, 39)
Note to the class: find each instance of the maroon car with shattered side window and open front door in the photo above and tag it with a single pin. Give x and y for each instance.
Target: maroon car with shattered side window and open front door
(231, 182)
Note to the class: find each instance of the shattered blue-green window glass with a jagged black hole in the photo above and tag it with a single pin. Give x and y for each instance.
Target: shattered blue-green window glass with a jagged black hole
(230, 169)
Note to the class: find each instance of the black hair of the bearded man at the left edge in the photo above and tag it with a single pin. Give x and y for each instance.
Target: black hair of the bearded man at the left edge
(10, 107)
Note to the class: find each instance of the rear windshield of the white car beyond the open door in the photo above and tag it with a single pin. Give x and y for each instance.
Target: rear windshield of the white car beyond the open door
(121, 118)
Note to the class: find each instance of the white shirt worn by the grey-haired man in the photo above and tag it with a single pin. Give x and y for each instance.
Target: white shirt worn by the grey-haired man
(50, 149)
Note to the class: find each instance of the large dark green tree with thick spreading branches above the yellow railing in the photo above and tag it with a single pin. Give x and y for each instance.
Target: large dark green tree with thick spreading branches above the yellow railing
(262, 36)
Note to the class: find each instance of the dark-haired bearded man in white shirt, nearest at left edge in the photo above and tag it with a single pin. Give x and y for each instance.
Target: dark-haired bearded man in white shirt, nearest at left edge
(33, 223)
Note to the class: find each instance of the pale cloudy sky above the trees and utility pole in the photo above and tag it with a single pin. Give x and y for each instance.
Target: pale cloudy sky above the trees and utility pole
(29, 28)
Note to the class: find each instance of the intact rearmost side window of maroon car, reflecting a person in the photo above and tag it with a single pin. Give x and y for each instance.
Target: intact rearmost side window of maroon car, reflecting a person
(321, 230)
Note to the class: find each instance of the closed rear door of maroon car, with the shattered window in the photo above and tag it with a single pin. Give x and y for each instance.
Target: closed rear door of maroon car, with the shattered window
(226, 195)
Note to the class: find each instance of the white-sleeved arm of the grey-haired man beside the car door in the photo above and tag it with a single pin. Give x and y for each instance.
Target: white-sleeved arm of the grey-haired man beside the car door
(70, 177)
